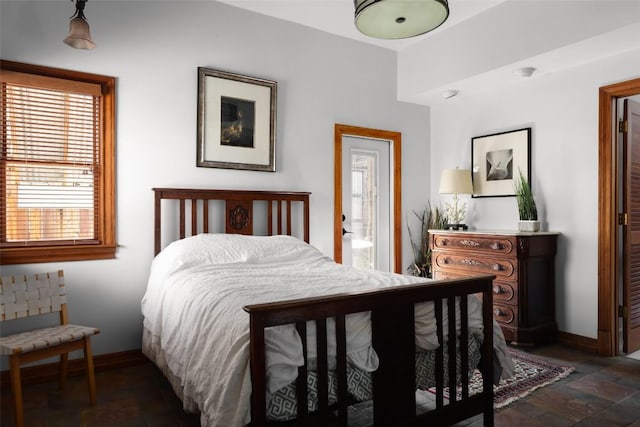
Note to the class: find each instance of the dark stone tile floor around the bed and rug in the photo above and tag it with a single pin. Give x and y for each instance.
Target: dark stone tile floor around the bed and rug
(601, 392)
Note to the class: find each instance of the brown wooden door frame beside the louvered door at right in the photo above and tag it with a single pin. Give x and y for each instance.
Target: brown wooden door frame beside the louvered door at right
(608, 221)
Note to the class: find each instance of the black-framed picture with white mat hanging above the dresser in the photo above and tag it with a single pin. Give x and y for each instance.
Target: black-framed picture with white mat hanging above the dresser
(497, 159)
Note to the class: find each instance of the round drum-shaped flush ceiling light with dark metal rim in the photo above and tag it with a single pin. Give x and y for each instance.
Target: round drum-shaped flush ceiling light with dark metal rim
(399, 19)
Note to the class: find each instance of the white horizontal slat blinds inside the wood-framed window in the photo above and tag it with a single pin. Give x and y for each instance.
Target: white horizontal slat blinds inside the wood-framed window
(50, 155)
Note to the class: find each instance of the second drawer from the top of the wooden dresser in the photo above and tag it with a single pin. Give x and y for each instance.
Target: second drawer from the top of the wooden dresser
(475, 264)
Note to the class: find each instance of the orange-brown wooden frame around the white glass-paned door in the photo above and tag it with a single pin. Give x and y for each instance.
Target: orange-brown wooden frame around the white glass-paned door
(395, 138)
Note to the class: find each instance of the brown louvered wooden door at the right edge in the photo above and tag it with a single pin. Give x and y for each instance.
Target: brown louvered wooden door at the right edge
(631, 235)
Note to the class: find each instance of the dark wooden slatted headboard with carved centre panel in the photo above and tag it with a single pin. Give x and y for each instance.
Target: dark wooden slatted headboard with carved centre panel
(237, 206)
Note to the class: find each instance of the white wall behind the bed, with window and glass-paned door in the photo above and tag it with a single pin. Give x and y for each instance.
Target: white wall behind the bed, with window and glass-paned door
(154, 49)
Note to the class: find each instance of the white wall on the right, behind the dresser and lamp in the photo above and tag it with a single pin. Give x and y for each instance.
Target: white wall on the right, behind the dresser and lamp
(562, 109)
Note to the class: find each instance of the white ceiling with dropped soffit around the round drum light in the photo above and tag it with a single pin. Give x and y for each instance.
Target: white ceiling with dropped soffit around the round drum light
(482, 41)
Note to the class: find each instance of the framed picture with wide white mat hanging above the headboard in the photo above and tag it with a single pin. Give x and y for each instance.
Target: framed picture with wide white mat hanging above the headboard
(236, 121)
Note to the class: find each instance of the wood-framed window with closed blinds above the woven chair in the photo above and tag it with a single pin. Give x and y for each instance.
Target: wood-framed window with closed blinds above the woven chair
(57, 165)
